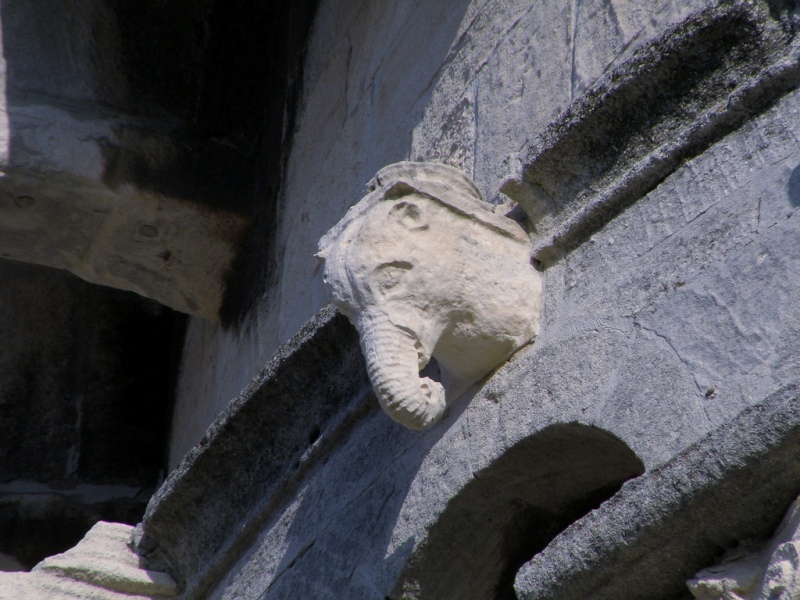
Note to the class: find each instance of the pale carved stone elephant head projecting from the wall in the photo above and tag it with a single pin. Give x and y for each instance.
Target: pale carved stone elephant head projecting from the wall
(423, 267)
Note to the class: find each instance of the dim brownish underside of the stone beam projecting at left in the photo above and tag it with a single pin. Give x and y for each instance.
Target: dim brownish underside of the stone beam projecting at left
(167, 249)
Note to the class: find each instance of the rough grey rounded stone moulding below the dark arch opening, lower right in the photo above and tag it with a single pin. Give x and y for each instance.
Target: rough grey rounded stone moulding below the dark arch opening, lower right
(670, 522)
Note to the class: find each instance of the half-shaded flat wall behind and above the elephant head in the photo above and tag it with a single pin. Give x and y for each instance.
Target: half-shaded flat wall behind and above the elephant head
(467, 84)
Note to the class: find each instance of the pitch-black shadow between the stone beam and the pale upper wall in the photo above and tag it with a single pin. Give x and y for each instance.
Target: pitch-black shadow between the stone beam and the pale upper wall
(244, 63)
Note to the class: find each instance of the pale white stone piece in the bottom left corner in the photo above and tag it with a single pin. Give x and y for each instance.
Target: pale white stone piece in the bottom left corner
(102, 566)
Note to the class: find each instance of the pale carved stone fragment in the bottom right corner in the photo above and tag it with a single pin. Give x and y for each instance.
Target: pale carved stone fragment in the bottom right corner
(771, 574)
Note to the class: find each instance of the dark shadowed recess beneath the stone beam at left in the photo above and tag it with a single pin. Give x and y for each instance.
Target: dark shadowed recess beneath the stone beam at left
(86, 394)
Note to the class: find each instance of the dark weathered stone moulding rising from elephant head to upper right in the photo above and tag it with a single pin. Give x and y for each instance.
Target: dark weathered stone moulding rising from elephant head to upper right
(677, 95)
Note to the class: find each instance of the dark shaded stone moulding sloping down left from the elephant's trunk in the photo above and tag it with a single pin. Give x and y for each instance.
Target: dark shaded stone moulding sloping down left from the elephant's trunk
(253, 458)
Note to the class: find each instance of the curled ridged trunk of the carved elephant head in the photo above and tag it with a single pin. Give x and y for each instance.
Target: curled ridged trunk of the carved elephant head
(393, 364)
